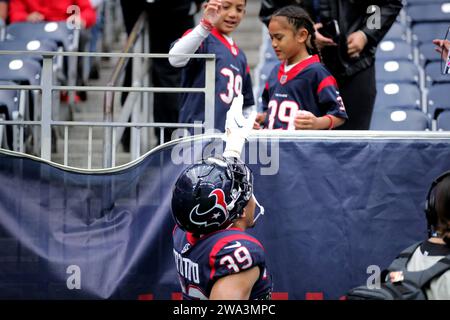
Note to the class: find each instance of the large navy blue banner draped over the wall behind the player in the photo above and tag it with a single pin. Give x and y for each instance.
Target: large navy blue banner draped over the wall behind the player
(335, 209)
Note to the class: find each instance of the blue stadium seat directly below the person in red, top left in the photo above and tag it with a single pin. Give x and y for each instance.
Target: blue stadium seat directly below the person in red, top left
(55, 31)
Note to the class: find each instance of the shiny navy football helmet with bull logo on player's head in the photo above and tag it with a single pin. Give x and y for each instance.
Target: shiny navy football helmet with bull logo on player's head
(209, 195)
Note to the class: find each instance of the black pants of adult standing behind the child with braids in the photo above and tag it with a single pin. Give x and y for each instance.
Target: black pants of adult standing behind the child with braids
(359, 93)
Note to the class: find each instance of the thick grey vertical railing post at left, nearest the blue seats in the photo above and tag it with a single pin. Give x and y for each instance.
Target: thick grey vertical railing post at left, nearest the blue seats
(46, 107)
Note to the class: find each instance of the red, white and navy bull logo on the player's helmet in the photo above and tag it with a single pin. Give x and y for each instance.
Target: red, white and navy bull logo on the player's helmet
(217, 214)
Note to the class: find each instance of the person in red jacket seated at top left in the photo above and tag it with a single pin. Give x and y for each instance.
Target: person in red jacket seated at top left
(50, 10)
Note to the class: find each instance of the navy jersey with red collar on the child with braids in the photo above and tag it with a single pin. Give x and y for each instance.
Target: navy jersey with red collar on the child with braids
(307, 86)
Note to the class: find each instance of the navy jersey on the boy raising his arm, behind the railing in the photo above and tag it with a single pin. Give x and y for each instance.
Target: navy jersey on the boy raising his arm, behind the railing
(232, 78)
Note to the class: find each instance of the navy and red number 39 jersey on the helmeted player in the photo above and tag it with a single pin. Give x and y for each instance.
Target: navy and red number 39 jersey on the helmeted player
(202, 261)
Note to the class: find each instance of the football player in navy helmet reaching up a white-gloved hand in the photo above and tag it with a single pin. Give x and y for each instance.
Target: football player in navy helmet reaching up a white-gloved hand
(224, 262)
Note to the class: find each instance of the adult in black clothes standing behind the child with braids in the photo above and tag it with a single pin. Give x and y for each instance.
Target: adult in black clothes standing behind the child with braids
(352, 59)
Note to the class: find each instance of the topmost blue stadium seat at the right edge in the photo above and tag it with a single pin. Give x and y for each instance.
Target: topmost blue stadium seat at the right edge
(429, 12)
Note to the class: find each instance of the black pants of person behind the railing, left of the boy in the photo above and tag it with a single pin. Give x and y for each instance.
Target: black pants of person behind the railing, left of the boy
(166, 26)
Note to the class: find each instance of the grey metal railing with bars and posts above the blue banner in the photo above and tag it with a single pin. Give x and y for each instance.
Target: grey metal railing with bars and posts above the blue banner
(47, 87)
